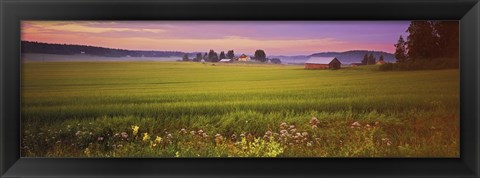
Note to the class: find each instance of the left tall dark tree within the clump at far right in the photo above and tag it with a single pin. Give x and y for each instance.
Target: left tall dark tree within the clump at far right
(422, 41)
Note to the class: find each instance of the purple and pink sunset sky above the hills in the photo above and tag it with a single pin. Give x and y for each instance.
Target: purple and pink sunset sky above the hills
(274, 37)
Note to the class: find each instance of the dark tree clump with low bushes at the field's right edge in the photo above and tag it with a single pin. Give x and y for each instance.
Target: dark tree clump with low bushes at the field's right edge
(429, 45)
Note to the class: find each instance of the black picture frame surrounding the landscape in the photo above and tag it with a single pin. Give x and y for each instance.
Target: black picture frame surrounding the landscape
(13, 11)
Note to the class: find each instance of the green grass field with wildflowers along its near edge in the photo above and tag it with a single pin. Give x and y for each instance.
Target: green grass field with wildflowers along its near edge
(183, 109)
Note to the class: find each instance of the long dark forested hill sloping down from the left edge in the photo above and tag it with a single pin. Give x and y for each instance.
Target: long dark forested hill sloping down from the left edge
(67, 49)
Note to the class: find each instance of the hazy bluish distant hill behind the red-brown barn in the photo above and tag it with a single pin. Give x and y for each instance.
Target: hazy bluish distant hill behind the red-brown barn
(347, 57)
